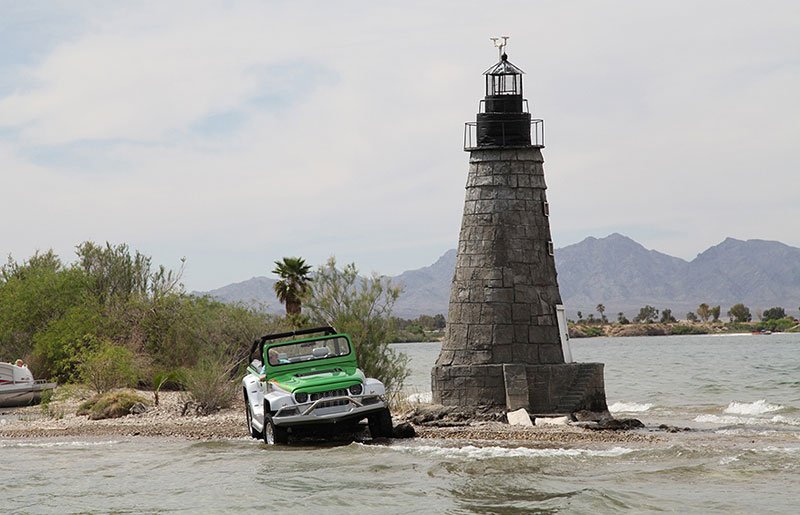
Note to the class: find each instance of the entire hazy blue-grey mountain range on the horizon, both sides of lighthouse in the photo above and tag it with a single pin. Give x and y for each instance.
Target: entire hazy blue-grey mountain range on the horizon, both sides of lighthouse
(615, 271)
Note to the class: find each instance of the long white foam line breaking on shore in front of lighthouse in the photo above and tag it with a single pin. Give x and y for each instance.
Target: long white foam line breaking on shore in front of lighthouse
(473, 452)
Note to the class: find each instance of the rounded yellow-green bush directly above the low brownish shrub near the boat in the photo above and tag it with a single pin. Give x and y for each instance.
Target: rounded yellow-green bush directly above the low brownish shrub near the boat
(109, 366)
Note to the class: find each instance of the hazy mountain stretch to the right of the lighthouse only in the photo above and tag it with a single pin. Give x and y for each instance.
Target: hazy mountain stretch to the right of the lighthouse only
(624, 276)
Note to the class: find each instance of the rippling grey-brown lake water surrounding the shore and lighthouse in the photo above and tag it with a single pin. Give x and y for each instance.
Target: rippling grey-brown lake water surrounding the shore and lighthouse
(740, 393)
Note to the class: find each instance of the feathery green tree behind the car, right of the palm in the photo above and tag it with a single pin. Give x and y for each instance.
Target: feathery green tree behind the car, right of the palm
(362, 308)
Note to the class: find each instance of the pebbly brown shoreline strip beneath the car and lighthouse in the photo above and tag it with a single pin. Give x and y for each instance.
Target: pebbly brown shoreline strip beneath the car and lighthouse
(58, 420)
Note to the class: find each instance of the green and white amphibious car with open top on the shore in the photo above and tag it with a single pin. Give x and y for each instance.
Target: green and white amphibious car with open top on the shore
(307, 378)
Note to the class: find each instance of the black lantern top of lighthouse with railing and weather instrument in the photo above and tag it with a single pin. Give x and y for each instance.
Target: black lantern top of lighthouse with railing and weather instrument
(503, 119)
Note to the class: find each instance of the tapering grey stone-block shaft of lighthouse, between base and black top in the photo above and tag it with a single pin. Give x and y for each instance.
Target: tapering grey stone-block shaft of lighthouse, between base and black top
(504, 291)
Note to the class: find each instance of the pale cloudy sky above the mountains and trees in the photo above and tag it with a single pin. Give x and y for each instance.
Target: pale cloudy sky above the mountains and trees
(236, 133)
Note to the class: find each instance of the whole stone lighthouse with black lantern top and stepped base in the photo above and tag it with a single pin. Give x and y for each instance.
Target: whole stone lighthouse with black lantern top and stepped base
(504, 345)
